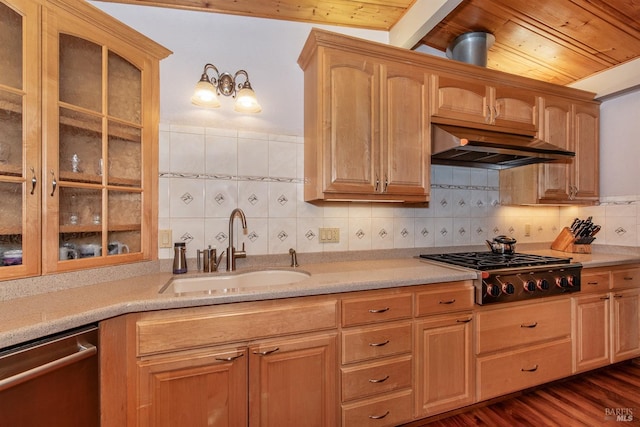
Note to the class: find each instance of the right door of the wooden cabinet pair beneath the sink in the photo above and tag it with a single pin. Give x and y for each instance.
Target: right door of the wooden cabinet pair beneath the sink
(293, 382)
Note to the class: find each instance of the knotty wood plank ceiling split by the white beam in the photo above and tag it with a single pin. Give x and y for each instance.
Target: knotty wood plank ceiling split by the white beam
(558, 41)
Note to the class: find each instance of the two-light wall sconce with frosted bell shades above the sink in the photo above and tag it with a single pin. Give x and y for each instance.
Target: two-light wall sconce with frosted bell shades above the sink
(208, 89)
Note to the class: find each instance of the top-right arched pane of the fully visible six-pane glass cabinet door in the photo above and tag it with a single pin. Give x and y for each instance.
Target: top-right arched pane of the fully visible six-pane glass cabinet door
(124, 89)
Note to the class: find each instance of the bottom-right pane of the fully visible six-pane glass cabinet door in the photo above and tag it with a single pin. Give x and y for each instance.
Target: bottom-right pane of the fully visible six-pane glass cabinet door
(124, 227)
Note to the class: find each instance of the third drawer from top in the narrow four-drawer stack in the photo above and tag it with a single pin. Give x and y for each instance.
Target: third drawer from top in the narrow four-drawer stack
(375, 378)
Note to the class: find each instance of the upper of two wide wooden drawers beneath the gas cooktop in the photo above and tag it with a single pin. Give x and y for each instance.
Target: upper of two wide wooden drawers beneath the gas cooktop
(527, 324)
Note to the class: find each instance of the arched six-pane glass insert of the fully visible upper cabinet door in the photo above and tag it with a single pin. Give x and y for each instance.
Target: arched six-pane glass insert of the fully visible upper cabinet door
(96, 176)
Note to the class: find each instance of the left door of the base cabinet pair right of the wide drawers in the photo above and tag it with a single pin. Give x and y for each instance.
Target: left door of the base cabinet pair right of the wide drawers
(591, 332)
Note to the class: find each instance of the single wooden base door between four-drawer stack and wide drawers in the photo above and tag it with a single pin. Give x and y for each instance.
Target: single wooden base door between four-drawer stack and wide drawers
(444, 364)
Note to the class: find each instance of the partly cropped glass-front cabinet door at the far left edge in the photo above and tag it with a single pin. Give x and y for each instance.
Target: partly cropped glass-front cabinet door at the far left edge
(19, 141)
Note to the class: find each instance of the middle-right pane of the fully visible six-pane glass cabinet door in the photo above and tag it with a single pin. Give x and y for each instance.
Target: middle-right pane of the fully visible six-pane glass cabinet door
(125, 155)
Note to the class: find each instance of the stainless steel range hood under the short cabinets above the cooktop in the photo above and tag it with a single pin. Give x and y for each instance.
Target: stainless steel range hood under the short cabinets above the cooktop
(457, 145)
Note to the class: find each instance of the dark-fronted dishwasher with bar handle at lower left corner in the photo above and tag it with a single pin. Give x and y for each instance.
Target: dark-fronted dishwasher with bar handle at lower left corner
(51, 382)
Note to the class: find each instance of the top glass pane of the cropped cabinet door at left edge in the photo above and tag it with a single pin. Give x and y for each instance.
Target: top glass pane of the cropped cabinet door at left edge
(10, 47)
